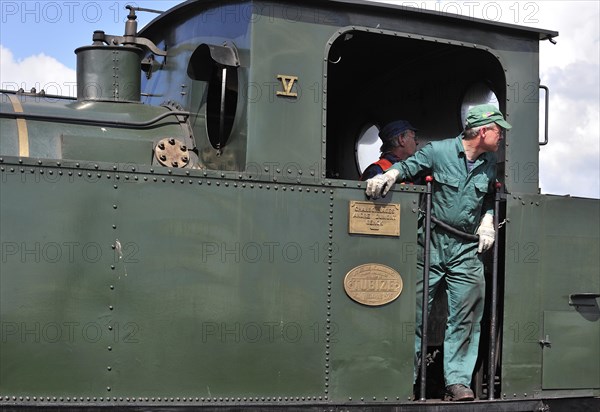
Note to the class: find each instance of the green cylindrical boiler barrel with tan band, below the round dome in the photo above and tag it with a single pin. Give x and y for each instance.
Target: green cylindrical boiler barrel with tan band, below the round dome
(68, 140)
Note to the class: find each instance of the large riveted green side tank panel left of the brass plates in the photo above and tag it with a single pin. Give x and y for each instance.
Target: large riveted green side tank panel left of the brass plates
(213, 289)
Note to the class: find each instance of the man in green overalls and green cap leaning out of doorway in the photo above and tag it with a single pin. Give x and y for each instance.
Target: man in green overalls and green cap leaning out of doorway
(464, 173)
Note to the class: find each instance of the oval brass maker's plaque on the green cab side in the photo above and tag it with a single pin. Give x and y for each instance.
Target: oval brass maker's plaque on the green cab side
(373, 284)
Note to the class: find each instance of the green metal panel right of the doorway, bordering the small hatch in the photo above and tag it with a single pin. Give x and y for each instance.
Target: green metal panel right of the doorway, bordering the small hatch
(549, 254)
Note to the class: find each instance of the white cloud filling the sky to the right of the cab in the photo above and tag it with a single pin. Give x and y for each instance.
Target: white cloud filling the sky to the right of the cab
(570, 163)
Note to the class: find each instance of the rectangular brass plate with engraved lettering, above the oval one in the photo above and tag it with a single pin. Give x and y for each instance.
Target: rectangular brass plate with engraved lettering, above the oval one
(370, 218)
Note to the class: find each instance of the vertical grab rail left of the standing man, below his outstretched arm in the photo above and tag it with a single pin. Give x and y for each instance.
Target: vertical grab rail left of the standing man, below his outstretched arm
(425, 294)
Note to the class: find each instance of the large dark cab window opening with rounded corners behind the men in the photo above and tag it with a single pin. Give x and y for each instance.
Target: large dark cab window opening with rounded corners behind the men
(424, 81)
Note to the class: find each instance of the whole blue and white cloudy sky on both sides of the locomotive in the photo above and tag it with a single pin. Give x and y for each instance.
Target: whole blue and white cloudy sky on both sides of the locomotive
(37, 39)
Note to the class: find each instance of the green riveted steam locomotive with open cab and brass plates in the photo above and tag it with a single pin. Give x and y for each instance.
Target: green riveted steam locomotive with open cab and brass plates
(190, 231)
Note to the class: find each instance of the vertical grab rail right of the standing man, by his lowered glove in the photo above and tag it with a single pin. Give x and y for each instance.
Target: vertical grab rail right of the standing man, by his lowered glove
(494, 300)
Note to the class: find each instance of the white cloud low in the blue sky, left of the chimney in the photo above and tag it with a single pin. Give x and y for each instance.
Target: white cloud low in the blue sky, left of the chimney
(39, 71)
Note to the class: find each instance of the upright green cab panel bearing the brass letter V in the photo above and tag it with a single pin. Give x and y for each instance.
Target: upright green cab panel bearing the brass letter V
(279, 48)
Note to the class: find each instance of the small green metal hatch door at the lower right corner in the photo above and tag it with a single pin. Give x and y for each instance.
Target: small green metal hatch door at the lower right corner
(572, 359)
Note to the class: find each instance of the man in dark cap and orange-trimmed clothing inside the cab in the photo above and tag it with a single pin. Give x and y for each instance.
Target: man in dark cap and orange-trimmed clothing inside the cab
(399, 142)
